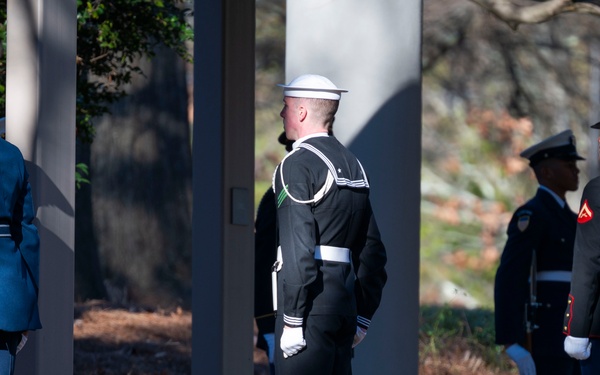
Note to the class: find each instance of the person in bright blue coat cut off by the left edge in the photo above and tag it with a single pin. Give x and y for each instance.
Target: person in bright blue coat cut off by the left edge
(19, 257)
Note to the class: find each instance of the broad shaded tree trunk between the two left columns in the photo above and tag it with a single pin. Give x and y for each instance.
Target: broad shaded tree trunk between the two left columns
(142, 189)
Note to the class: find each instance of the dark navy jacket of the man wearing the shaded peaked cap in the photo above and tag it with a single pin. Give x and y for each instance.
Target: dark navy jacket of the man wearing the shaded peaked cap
(540, 224)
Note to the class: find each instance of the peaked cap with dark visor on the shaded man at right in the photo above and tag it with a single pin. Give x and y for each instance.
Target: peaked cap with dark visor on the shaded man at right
(560, 146)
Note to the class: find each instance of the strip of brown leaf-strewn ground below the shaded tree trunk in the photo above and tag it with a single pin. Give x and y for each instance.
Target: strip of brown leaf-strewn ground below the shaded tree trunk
(117, 341)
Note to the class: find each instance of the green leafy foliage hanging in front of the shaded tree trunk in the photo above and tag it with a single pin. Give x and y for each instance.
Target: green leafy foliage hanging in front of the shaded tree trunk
(111, 36)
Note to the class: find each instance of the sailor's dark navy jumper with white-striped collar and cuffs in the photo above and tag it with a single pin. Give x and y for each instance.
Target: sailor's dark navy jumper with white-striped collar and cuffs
(342, 218)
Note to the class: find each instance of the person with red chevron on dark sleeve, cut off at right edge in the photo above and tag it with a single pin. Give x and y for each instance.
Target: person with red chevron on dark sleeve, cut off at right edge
(582, 316)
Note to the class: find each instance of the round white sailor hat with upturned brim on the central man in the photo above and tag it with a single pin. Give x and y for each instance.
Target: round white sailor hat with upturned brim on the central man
(312, 86)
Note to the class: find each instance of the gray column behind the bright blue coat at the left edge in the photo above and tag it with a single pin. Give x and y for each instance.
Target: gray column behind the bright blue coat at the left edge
(40, 120)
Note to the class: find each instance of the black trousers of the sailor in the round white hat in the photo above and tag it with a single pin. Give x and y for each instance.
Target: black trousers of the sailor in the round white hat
(328, 348)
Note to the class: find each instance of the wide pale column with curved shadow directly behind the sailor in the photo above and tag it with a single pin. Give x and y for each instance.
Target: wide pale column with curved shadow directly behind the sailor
(373, 50)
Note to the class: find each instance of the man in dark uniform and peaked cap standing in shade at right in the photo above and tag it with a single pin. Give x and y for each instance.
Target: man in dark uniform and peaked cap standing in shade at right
(532, 280)
